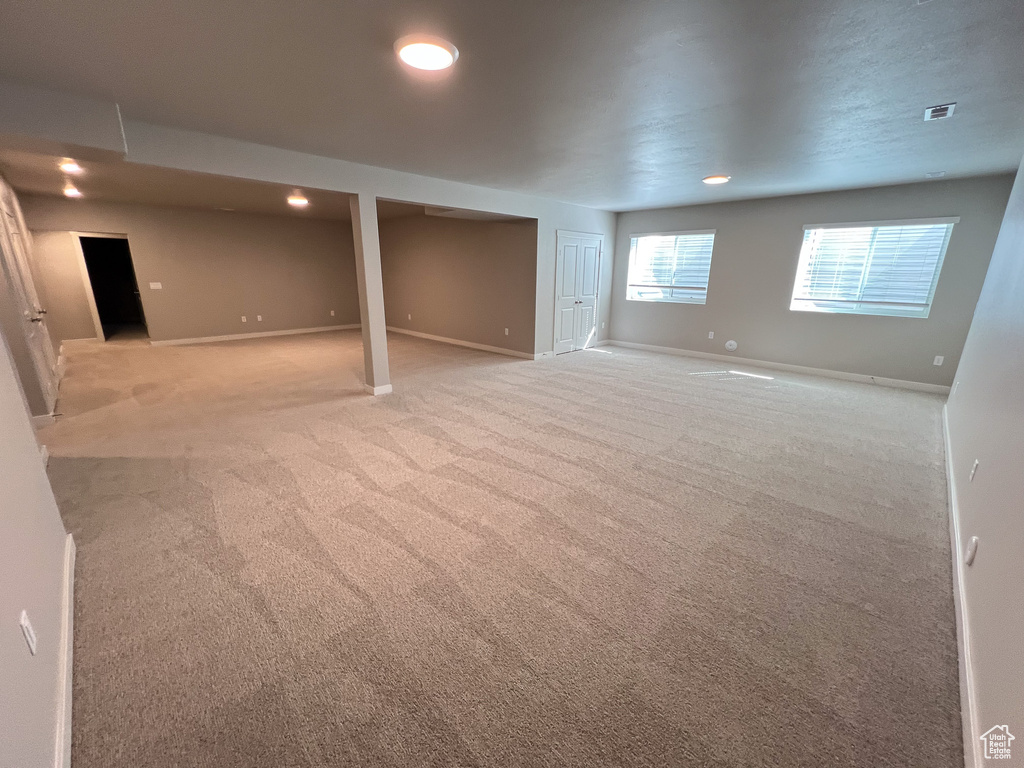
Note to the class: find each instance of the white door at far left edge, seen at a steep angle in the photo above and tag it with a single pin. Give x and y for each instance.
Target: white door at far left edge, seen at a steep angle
(15, 245)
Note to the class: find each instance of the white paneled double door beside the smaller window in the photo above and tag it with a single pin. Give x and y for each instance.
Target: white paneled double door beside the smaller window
(578, 266)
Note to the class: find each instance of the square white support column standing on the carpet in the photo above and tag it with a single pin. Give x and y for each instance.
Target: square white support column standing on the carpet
(371, 285)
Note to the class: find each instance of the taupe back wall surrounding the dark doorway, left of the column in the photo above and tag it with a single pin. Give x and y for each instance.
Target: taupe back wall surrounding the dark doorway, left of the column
(215, 267)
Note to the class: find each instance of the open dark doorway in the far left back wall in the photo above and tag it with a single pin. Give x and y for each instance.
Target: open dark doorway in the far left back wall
(114, 287)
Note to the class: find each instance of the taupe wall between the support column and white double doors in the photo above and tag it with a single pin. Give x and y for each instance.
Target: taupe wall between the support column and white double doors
(462, 280)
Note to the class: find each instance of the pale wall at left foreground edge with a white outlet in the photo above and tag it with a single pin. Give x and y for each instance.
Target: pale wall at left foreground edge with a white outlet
(32, 579)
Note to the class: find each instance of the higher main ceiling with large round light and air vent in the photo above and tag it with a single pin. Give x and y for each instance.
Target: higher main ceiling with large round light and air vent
(613, 104)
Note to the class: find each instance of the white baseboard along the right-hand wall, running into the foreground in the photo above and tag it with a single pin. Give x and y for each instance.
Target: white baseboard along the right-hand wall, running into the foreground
(968, 705)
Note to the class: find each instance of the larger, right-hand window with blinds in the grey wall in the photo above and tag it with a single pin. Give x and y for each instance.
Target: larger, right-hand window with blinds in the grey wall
(888, 269)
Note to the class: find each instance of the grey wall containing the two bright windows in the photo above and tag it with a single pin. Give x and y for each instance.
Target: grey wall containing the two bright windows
(757, 247)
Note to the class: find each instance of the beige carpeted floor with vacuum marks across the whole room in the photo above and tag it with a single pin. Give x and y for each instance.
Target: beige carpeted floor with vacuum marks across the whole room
(607, 559)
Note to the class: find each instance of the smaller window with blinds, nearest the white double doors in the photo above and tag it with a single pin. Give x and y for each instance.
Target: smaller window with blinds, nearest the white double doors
(673, 268)
